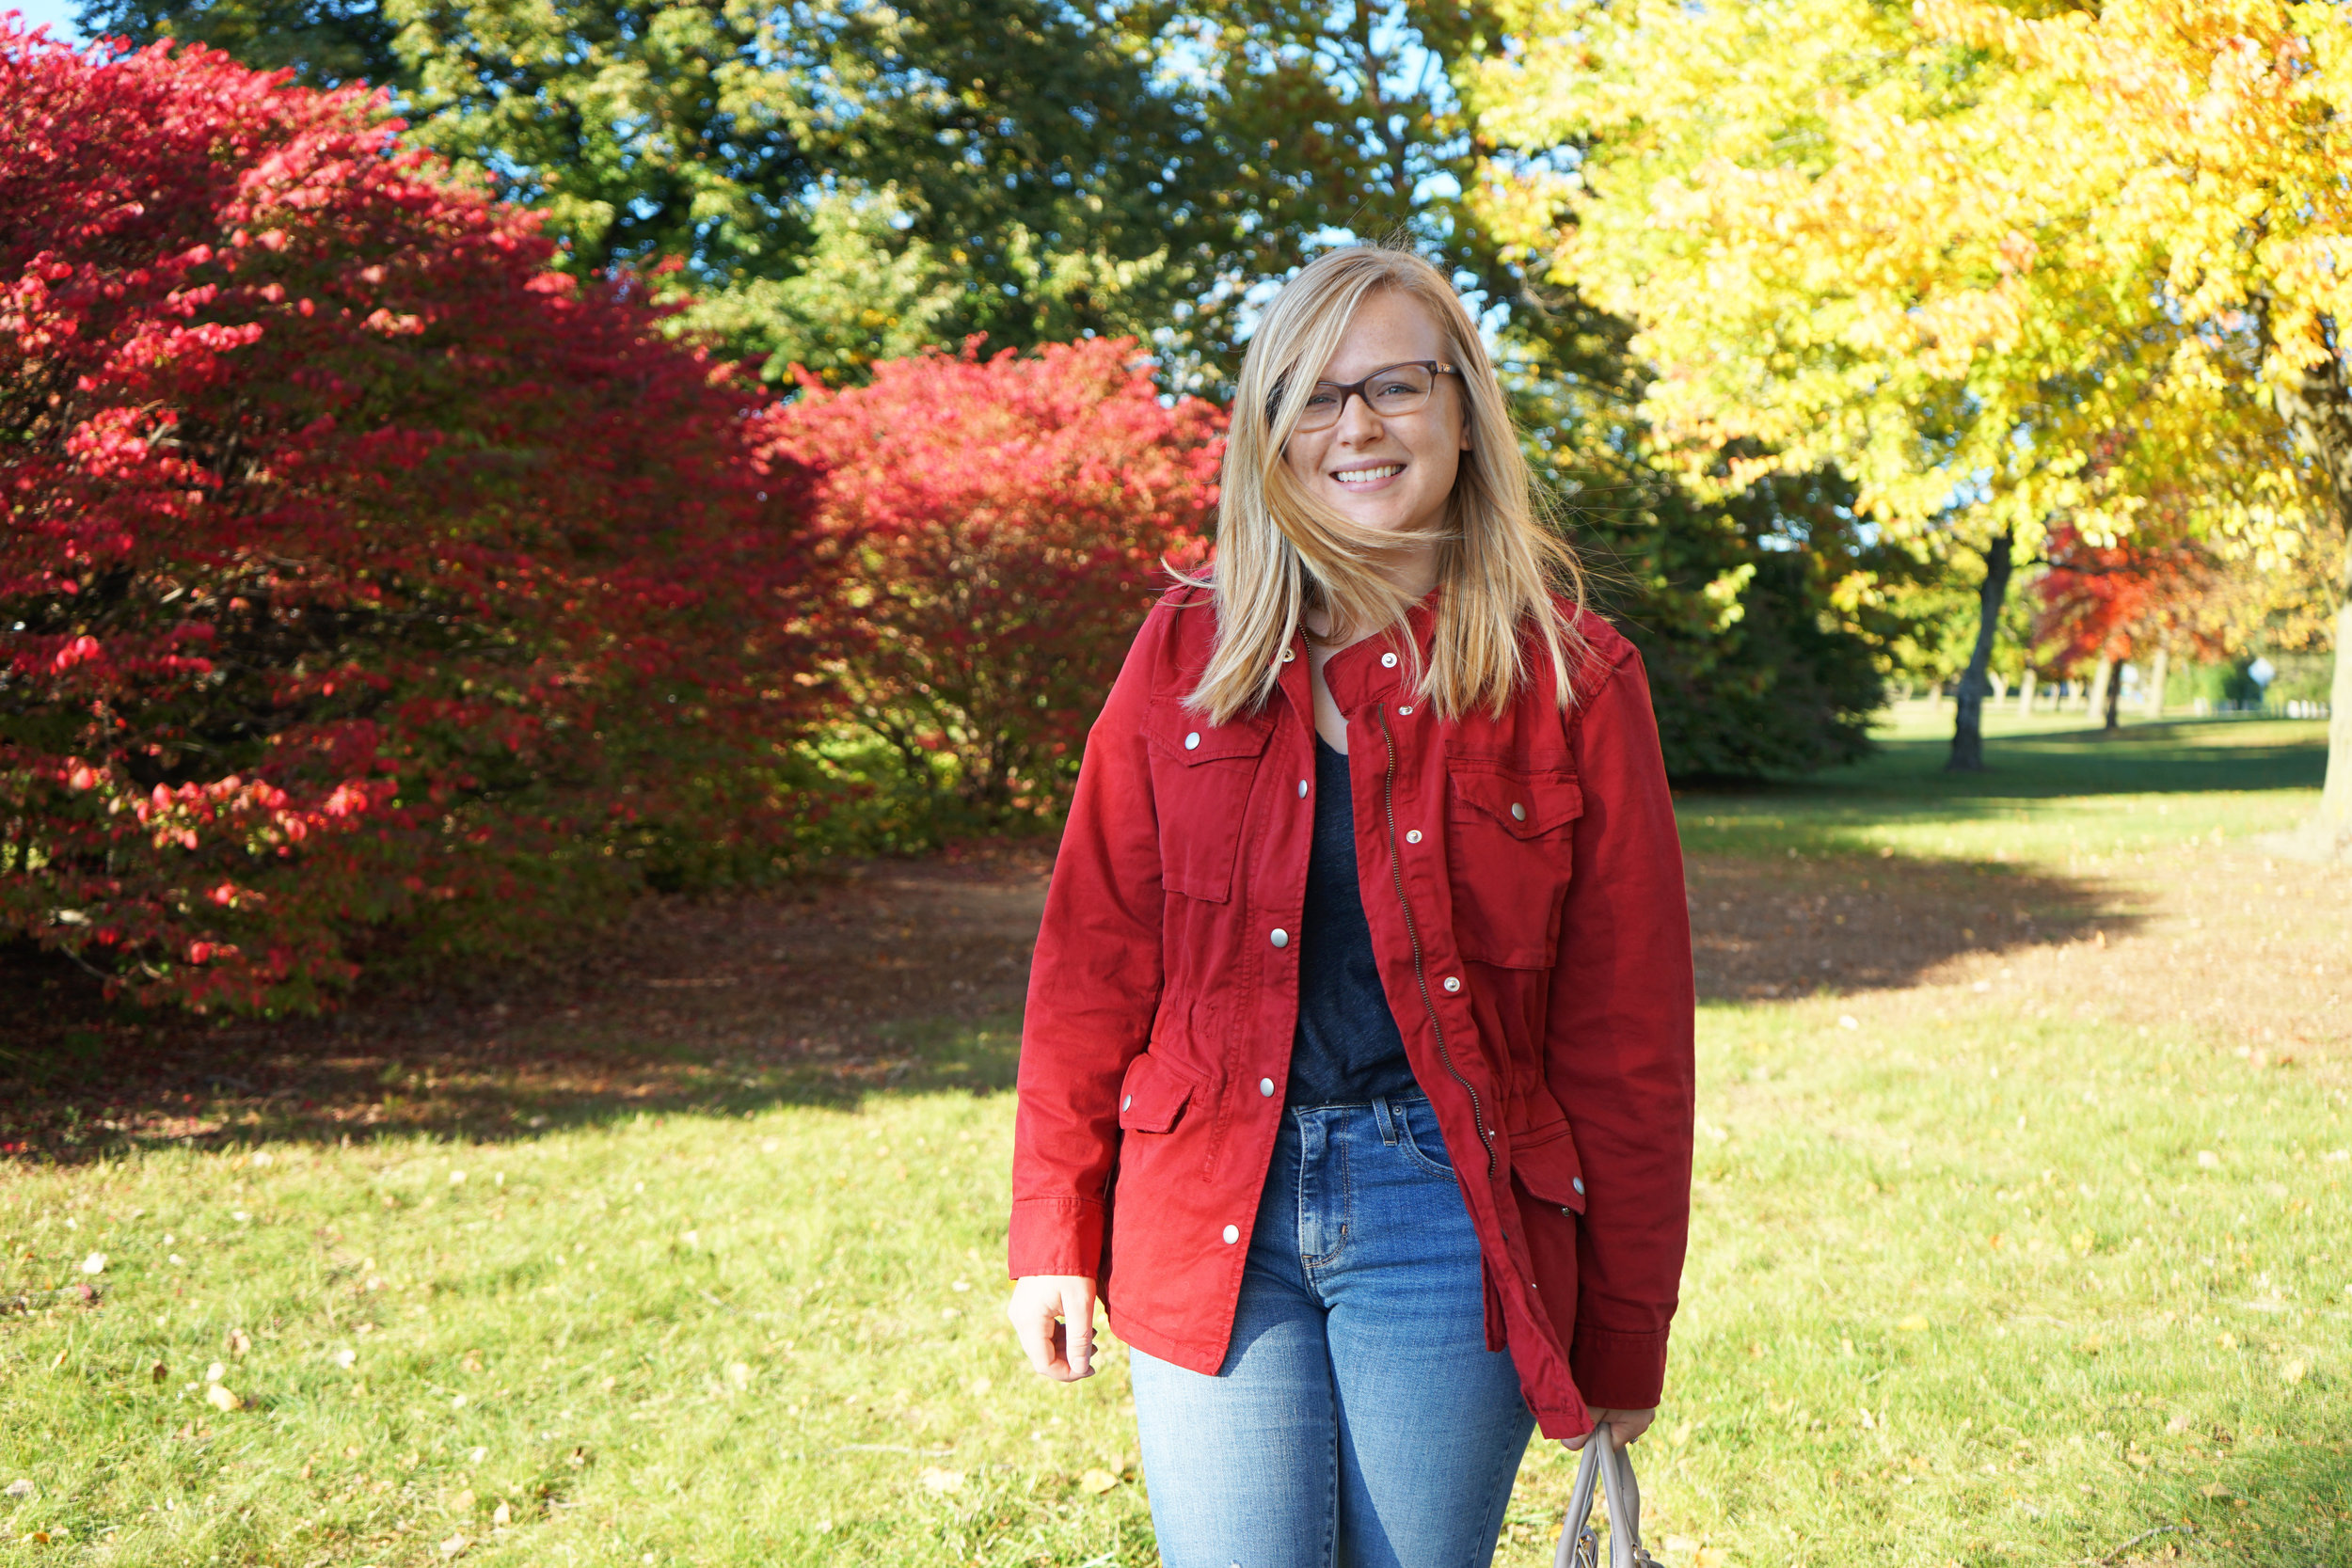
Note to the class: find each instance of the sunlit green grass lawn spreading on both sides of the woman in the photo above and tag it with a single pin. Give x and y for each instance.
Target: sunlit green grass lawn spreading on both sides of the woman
(2022, 1238)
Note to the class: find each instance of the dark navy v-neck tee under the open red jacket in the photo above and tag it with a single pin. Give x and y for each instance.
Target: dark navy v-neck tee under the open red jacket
(1347, 1050)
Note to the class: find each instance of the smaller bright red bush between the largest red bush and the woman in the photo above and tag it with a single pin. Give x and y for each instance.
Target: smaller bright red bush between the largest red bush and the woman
(1003, 525)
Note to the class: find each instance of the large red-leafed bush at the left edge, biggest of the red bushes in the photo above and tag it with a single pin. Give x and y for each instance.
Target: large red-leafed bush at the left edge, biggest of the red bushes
(359, 570)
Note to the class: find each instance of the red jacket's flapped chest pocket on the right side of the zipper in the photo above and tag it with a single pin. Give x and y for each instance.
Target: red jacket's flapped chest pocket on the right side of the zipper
(1509, 857)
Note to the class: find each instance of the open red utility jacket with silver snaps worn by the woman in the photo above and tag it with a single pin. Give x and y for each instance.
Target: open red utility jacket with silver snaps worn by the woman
(1523, 883)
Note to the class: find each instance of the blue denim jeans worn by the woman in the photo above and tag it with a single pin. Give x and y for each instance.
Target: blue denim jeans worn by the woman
(1361, 1419)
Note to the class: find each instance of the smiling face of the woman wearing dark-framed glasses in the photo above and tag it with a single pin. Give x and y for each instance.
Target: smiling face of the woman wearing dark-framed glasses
(1389, 474)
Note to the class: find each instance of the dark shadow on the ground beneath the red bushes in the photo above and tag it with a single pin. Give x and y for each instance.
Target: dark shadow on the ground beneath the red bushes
(904, 979)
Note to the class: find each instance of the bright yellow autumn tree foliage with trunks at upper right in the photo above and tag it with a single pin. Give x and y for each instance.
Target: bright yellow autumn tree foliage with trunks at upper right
(2003, 269)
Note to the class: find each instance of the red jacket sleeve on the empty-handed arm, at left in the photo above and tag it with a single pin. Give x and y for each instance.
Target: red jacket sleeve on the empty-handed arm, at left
(1095, 989)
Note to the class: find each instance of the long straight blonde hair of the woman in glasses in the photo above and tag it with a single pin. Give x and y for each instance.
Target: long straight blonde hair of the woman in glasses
(1278, 549)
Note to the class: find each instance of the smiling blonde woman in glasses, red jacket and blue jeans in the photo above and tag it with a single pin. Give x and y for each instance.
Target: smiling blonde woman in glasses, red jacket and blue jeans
(1358, 1057)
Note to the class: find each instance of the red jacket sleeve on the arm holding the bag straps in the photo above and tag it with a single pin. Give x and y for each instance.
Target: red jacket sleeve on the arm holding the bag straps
(1619, 1040)
